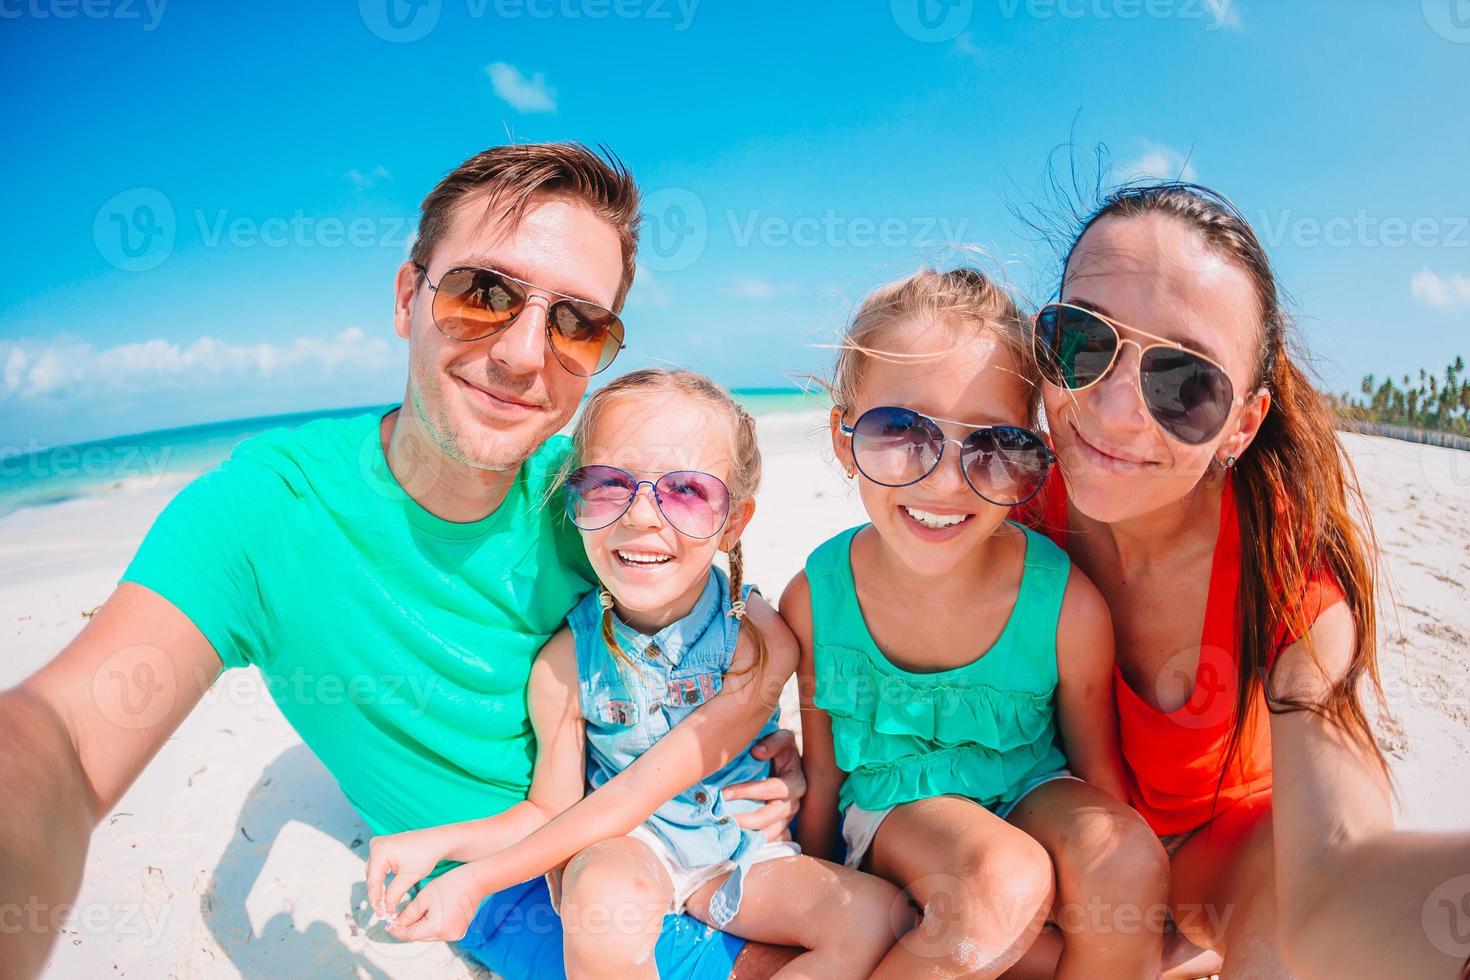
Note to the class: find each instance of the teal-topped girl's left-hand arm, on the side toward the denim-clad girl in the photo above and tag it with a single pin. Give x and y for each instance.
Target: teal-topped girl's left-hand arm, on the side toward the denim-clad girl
(818, 829)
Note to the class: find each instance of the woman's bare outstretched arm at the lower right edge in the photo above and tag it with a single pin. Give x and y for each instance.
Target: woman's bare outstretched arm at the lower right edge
(1356, 897)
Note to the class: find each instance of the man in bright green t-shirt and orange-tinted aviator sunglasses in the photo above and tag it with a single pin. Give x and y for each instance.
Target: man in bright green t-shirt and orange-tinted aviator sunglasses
(395, 553)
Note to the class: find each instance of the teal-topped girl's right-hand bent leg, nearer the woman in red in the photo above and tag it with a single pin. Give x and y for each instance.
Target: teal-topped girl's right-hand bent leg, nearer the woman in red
(1112, 879)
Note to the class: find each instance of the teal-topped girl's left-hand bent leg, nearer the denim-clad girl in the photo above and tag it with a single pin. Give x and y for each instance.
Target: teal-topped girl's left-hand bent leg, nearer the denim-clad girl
(984, 888)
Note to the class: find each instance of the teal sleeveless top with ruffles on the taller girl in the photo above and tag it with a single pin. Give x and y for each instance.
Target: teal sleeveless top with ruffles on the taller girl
(986, 731)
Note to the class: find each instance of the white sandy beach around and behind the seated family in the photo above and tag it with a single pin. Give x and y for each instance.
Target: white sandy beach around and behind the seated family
(236, 856)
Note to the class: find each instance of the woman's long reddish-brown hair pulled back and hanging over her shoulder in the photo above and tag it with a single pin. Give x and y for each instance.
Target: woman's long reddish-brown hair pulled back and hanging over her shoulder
(1297, 496)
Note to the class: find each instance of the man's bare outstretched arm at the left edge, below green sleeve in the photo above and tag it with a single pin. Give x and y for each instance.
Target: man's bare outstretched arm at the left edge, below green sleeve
(76, 735)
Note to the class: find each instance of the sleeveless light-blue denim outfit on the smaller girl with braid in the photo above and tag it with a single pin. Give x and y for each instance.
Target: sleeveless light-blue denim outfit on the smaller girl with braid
(680, 668)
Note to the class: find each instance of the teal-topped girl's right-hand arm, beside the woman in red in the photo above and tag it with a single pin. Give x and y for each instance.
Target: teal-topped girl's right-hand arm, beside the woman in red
(1086, 707)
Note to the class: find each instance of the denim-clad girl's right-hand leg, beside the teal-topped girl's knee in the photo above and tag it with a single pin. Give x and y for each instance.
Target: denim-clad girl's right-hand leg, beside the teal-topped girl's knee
(845, 920)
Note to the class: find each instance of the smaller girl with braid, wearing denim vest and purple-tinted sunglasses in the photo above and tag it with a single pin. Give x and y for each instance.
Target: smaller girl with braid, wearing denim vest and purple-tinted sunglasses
(646, 707)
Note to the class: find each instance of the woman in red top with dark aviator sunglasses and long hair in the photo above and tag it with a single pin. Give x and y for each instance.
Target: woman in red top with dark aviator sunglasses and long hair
(1205, 491)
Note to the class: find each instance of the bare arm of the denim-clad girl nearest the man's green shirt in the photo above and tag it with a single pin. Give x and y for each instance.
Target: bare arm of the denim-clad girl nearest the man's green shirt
(556, 784)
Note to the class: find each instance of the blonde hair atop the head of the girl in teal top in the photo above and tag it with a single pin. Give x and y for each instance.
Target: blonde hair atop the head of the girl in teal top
(962, 299)
